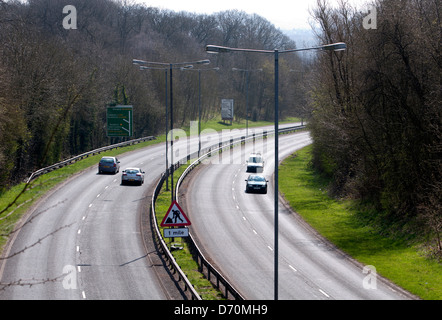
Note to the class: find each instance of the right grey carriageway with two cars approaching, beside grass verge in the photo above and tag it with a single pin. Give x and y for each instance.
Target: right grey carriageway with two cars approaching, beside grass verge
(236, 230)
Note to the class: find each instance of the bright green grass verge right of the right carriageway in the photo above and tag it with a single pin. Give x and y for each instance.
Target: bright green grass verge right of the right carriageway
(337, 220)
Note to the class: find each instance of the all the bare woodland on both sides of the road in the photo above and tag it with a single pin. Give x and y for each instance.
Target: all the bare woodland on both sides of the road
(374, 110)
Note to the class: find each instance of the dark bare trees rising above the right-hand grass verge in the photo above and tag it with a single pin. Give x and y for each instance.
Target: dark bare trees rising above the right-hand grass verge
(376, 119)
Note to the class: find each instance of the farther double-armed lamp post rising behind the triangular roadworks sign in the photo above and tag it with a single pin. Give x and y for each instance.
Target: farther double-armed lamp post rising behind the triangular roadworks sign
(171, 66)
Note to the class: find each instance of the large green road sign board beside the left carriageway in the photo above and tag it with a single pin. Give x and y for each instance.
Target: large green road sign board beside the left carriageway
(120, 121)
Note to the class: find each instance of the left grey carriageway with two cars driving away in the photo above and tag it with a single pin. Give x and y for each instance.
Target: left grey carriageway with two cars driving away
(83, 240)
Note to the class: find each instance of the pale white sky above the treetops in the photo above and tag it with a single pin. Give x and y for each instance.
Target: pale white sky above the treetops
(284, 14)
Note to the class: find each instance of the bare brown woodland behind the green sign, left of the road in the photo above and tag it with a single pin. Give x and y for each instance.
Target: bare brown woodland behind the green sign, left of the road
(56, 83)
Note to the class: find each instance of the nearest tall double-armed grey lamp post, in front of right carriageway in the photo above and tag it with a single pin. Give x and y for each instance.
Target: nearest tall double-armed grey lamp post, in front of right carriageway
(328, 47)
